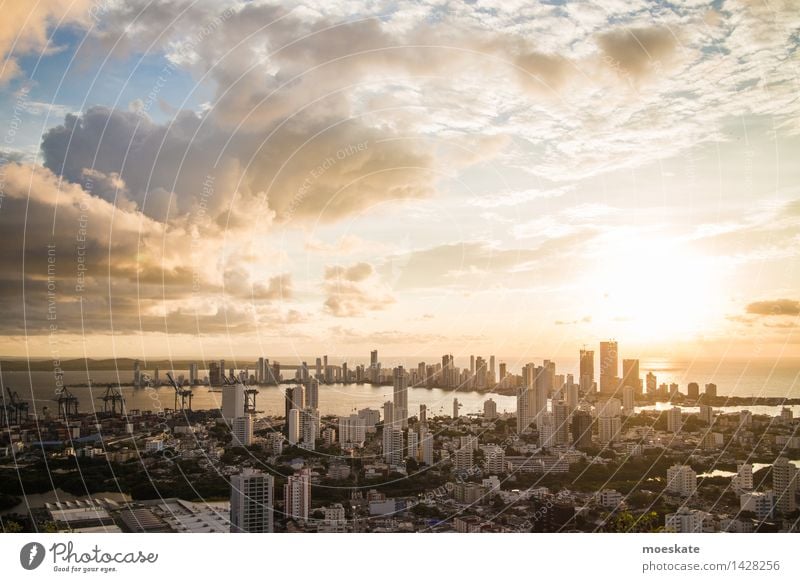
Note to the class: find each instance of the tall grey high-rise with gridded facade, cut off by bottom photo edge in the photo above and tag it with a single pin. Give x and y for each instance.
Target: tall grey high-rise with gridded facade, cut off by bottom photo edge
(252, 502)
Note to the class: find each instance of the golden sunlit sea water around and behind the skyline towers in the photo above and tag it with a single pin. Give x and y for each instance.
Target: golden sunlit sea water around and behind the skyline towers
(779, 378)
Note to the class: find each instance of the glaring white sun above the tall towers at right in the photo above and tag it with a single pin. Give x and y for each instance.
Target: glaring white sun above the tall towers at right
(655, 290)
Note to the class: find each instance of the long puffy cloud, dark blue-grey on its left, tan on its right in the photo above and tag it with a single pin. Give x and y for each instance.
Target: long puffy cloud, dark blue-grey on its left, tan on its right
(296, 172)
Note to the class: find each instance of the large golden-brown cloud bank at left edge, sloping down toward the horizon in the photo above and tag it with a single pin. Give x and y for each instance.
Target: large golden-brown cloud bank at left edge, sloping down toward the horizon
(76, 263)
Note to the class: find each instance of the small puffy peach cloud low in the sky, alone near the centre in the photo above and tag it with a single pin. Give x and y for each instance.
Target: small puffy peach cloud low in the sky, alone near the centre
(354, 290)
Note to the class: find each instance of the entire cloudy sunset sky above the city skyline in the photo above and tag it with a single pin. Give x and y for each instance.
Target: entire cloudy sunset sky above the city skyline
(208, 179)
